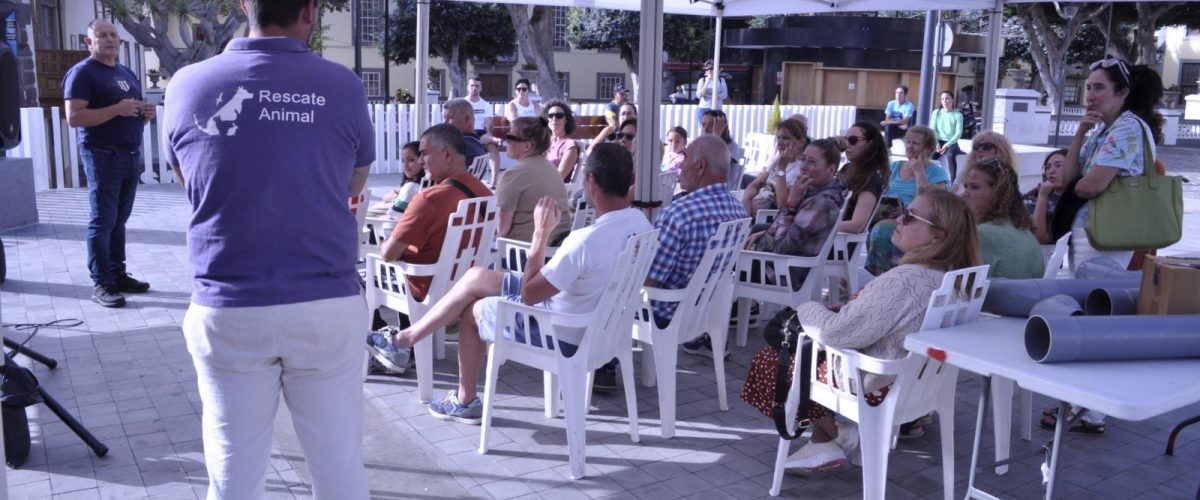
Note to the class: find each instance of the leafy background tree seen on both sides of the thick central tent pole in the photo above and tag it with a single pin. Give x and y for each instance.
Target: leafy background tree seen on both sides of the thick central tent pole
(686, 38)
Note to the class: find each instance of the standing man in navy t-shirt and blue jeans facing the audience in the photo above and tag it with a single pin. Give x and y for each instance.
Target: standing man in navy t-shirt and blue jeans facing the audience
(105, 105)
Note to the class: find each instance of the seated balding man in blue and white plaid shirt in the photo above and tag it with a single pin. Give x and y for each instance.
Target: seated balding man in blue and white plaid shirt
(686, 226)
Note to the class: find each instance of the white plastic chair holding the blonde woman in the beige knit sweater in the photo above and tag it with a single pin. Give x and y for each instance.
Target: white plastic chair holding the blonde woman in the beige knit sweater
(921, 385)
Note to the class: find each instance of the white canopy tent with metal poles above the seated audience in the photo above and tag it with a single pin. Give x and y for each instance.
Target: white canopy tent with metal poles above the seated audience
(651, 51)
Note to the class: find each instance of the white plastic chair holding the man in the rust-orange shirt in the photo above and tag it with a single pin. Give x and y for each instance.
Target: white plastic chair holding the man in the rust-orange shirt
(470, 232)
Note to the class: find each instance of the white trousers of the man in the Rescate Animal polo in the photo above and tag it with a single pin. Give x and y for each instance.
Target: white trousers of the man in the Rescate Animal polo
(247, 357)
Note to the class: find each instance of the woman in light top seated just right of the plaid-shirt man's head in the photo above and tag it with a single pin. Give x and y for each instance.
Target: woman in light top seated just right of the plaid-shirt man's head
(770, 189)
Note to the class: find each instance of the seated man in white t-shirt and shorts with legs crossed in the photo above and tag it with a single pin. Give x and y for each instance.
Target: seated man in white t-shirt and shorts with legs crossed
(572, 282)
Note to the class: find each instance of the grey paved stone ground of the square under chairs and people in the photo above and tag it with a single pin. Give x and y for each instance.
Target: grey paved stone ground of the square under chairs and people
(128, 377)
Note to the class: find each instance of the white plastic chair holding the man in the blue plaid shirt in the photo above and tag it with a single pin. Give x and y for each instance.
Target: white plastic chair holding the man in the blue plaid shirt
(703, 308)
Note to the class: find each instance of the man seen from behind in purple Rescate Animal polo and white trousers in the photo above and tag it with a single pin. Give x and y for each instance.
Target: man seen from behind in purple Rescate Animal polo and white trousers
(271, 142)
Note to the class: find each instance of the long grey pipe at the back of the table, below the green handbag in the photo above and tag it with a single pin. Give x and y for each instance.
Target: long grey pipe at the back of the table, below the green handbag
(1016, 298)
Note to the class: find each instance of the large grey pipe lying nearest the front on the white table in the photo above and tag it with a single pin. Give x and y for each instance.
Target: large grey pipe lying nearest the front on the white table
(1055, 339)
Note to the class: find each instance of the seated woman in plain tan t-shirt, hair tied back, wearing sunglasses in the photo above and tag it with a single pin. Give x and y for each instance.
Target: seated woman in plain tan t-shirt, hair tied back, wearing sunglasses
(533, 178)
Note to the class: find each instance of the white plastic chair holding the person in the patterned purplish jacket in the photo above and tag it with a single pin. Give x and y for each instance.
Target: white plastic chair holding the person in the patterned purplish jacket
(767, 278)
